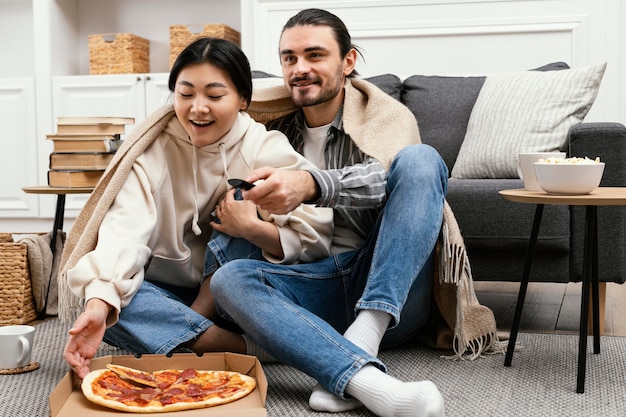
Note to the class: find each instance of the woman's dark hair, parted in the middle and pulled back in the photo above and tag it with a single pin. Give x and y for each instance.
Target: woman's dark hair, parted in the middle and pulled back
(219, 52)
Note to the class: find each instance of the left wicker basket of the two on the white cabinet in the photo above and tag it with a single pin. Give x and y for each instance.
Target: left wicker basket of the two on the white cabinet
(118, 53)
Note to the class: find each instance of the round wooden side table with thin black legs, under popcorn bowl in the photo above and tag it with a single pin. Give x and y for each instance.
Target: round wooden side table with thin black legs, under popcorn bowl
(602, 196)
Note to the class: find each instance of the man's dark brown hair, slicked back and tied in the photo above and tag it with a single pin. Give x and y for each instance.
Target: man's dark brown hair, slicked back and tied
(319, 17)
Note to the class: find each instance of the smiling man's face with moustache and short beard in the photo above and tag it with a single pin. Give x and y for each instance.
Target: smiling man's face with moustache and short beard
(312, 66)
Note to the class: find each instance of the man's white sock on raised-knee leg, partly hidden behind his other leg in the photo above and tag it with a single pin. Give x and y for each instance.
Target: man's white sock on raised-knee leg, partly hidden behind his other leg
(366, 332)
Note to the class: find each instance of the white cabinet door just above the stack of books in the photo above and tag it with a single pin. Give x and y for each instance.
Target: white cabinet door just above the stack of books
(101, 95)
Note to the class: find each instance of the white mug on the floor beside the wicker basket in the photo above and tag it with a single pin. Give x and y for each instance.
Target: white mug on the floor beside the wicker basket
(16, 345)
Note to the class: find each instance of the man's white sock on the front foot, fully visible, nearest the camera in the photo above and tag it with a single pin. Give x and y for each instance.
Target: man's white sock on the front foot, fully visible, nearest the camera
(387, 396)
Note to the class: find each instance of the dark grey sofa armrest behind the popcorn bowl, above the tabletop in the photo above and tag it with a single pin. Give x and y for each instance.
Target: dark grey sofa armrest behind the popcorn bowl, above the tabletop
(605, 140)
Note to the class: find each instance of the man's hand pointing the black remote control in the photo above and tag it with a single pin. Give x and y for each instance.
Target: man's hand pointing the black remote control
(282, 190)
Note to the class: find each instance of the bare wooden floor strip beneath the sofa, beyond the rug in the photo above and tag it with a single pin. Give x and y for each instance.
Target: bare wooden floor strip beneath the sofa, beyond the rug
(550, 307)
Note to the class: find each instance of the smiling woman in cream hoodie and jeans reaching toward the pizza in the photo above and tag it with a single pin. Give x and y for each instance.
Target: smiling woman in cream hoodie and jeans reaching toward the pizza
(135, 253)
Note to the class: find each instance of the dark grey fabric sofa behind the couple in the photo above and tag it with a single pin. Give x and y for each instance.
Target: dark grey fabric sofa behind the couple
(497, 231)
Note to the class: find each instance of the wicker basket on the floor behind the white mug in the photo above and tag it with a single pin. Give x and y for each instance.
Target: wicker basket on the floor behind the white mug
(17, 305)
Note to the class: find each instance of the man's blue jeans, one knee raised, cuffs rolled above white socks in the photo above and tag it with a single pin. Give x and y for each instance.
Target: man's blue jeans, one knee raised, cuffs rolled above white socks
(298, 313)
